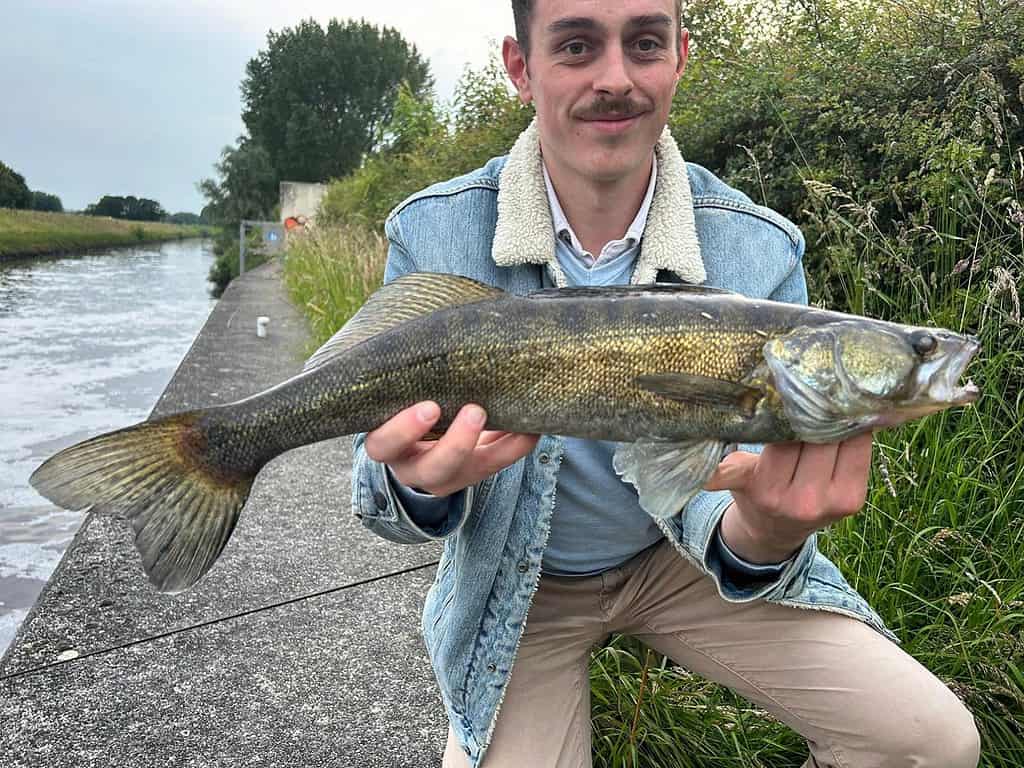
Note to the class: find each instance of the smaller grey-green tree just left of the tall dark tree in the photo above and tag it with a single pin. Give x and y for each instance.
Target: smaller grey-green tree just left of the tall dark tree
(246, 188)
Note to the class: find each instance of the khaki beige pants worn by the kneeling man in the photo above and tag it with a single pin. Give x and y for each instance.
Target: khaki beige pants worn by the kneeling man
(858, 699)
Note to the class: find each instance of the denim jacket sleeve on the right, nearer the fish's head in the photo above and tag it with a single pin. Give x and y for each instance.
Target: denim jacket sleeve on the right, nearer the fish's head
(703, 516)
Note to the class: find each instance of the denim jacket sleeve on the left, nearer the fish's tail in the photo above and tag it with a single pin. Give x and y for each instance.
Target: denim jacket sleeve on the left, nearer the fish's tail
(382, 504)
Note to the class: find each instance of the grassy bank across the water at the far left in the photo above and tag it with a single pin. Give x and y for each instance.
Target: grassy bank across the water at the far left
(31, 233)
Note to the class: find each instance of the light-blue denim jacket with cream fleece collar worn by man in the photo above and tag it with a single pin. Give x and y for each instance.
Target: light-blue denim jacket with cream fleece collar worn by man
(495, 226)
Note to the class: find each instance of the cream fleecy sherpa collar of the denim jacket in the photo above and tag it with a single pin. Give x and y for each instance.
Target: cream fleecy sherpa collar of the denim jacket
(525, 234)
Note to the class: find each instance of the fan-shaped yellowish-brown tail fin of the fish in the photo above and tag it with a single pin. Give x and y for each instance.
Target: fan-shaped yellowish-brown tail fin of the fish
(184, 506)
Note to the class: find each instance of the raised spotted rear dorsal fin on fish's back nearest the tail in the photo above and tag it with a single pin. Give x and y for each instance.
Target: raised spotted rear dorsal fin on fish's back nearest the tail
(406, 298)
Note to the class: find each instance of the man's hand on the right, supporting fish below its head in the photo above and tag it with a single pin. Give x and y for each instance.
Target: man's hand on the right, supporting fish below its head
(789, 492)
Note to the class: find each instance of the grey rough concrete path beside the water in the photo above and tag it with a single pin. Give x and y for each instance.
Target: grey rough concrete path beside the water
(302, 648)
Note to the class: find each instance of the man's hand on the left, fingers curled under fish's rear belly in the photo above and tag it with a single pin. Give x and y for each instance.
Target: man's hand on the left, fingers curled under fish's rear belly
(463, 457)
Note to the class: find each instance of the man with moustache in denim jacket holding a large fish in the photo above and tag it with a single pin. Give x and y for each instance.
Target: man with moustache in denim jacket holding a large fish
(596, 193)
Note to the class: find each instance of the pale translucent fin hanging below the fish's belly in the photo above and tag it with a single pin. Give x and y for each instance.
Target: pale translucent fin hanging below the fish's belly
(667, 476)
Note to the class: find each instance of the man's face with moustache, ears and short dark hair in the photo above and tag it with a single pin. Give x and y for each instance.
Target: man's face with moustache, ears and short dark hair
(602, 75)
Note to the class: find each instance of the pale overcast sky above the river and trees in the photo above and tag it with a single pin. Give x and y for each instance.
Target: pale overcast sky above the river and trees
(129, 98)
